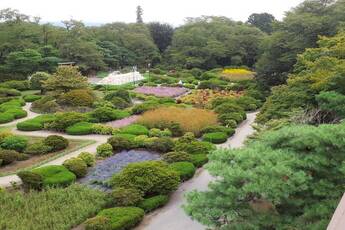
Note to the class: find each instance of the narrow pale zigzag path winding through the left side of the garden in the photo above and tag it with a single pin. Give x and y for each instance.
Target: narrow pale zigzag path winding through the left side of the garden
(5, 181)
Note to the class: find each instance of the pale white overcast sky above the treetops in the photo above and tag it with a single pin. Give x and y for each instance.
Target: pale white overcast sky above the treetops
(169, 11)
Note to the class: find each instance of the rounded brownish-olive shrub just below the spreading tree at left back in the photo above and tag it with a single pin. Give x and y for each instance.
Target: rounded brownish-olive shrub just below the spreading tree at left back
(77, 97)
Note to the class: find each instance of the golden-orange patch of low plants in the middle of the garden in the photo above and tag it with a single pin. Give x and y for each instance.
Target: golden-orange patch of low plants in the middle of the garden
(190, 120)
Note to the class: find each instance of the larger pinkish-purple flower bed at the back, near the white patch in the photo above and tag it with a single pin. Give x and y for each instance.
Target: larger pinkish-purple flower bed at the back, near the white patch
(162, 91)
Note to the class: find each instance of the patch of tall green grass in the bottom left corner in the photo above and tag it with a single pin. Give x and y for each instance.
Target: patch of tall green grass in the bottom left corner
(57, 209)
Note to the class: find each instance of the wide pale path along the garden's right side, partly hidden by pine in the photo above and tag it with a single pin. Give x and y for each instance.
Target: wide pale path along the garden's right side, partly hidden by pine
(172, 216)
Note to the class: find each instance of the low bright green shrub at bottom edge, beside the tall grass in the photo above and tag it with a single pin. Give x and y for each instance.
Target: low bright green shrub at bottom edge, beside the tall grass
(120, 218)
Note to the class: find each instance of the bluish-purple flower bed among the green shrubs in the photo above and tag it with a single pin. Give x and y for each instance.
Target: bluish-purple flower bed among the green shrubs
(103, 170)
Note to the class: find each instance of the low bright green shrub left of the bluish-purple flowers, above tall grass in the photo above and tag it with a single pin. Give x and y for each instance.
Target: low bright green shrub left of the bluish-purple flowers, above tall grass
(55, 175)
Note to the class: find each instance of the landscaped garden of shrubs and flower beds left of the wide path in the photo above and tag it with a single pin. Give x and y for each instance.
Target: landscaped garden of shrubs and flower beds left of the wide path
(156, 135)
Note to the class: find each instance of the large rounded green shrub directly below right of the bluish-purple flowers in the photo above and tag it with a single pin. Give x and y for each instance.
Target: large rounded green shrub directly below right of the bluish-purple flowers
(150, 177)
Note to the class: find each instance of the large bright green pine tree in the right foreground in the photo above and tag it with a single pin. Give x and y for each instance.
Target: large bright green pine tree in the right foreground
(290, 178)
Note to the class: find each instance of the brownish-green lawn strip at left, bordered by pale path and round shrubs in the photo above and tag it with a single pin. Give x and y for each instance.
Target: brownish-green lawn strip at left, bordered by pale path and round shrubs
(37, 161)
